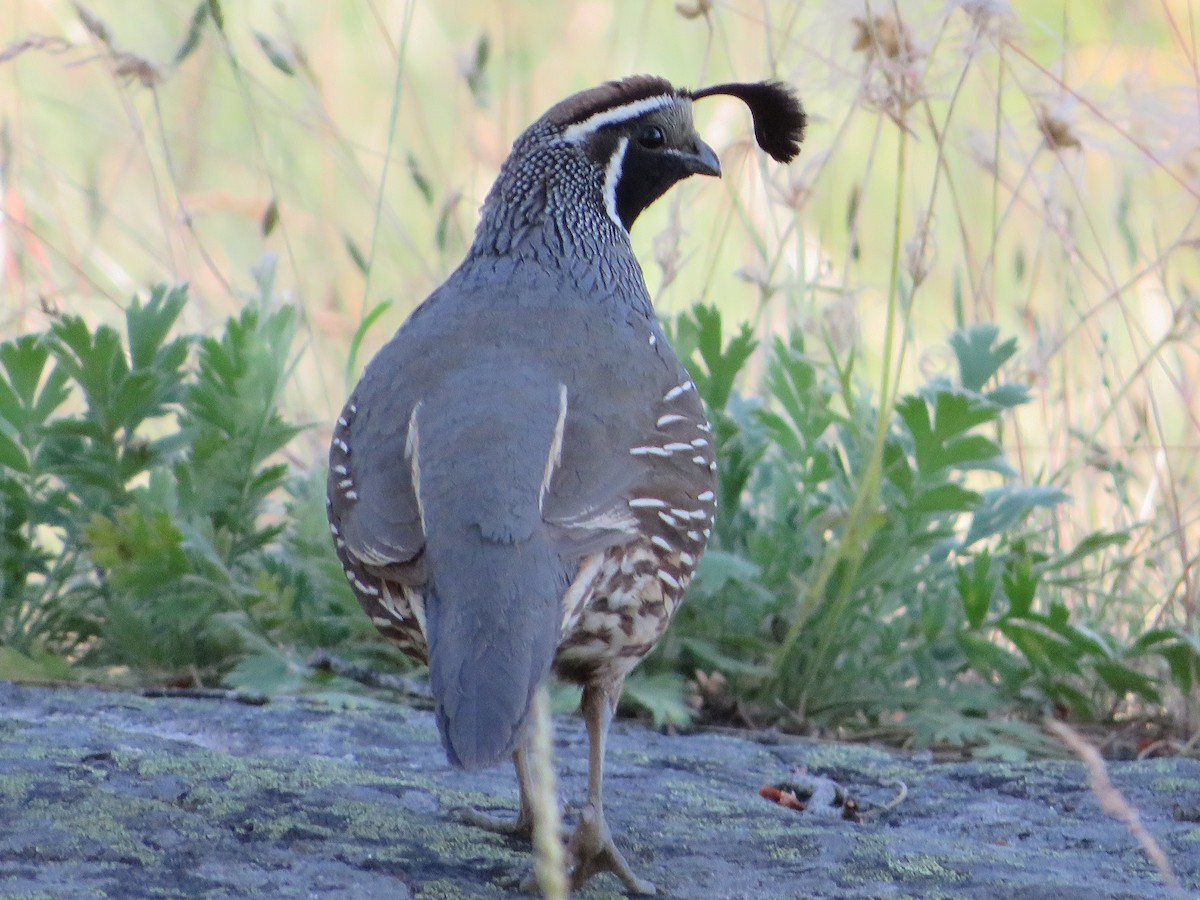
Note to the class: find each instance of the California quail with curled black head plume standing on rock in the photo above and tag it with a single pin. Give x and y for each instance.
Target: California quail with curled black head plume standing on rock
(525, 477)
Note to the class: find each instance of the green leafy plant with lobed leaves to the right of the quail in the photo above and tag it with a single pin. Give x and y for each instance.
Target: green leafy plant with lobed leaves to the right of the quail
(951, 610)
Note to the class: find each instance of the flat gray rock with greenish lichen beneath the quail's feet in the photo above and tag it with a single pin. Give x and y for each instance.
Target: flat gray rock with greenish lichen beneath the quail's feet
(122, 796)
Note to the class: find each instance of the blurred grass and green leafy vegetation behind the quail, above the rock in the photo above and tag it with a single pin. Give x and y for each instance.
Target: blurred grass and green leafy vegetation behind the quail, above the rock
(951, 350)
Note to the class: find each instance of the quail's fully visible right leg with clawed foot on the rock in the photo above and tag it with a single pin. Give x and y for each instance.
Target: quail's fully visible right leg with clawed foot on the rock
(592, 848)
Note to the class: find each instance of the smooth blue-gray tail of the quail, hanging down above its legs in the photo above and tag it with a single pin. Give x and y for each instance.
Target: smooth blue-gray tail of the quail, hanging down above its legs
(493, 626)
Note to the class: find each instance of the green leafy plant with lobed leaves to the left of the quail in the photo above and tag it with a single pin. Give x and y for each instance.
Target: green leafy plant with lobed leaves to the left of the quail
(145, 523)
